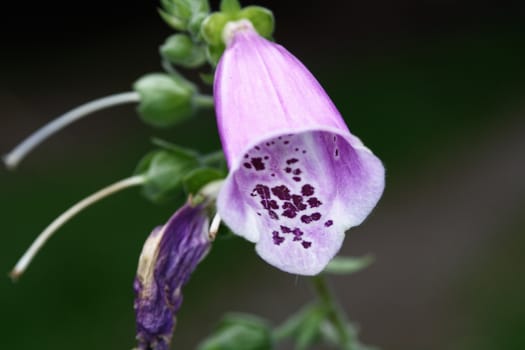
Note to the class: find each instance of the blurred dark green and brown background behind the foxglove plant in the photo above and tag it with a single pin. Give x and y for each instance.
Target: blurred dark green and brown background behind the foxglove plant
(435, 88)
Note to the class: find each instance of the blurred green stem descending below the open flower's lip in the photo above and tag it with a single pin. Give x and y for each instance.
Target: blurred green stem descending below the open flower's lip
(335, 314)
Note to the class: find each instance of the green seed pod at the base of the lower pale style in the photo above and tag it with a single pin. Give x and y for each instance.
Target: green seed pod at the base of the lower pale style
(164, 171)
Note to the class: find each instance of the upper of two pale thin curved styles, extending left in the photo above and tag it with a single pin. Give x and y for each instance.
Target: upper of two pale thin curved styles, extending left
(13, 158)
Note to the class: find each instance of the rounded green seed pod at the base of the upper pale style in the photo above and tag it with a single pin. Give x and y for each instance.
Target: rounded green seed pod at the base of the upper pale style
(164, 99)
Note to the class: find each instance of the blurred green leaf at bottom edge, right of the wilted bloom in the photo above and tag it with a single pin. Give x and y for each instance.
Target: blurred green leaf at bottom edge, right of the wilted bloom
(239, 332)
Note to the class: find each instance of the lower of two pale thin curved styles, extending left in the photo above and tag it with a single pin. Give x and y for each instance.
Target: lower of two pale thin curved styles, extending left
(39, 242)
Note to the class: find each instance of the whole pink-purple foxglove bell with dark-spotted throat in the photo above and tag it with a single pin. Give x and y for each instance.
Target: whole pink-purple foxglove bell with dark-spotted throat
(298, 178)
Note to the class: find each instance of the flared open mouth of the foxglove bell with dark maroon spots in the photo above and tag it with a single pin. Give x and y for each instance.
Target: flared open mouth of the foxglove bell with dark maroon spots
(296, 194)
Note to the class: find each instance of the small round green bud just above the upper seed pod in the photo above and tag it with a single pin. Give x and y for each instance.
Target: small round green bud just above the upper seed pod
(180, 49)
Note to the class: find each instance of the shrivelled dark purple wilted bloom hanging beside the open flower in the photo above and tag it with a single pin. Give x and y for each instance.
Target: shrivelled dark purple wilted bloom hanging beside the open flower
(168, 258)
